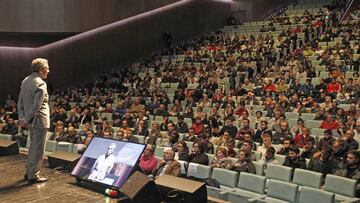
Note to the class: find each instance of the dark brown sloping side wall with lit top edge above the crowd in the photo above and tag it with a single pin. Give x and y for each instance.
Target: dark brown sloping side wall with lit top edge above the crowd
(77, 59)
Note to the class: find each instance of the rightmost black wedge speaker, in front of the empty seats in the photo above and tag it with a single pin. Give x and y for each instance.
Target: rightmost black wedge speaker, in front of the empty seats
(181, 190)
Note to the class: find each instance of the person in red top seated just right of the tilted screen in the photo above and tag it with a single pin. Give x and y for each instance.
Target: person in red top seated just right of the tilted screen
(148, 161)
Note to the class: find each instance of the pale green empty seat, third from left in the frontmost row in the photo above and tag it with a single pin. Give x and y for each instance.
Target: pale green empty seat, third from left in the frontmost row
(249, 186)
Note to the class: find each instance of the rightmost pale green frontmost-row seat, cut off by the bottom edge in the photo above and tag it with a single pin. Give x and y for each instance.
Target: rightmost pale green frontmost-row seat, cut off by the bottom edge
(308, 194)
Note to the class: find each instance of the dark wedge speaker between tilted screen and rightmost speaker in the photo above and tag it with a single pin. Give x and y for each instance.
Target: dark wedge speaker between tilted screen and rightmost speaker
(140, 189)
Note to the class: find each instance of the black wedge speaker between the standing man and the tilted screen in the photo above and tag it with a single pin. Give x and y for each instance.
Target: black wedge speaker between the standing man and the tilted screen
(63, 159)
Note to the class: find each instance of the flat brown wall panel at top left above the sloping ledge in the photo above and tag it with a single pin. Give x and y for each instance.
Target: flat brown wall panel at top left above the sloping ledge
(69, 15)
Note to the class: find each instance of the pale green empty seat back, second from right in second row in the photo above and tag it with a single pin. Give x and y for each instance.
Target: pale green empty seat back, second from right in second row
(307, 178)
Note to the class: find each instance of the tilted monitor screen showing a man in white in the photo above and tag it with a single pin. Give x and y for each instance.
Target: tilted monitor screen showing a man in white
(108, 161)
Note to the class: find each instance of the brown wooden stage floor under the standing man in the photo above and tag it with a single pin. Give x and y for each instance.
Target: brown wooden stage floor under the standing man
(61, 186)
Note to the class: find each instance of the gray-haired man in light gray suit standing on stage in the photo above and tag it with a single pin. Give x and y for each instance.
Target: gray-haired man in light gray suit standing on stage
(35, 115)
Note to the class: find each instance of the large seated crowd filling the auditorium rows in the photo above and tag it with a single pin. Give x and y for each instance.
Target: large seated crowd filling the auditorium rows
(230, 100)
